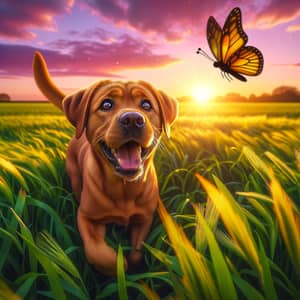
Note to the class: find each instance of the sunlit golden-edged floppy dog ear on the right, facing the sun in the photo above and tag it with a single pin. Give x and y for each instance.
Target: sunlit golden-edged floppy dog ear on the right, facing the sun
(169, 111)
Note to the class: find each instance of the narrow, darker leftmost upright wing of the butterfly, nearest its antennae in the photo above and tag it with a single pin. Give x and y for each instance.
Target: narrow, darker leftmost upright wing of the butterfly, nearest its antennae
(214, 37)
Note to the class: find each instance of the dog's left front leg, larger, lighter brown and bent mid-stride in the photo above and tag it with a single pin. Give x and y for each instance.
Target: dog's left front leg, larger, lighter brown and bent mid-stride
(98, 253)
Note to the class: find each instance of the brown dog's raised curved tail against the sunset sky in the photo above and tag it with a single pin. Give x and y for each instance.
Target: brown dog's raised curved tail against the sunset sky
(44, 82)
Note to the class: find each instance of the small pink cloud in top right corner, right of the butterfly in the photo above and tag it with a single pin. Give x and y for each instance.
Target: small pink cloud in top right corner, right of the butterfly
(277, 12)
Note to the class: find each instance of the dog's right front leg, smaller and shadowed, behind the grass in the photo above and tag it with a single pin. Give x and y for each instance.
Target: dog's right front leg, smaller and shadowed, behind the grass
(138, 234)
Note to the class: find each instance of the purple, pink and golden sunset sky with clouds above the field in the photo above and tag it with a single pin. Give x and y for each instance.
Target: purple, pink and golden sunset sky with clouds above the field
(84, 41)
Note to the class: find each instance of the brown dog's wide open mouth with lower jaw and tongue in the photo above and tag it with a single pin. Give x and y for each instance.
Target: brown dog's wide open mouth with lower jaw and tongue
(128, 158)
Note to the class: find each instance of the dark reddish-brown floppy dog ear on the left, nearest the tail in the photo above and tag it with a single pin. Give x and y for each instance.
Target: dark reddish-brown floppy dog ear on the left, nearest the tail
(76, 107)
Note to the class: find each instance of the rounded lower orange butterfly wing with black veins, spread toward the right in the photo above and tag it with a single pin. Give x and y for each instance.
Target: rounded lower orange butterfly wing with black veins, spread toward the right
(248, 61)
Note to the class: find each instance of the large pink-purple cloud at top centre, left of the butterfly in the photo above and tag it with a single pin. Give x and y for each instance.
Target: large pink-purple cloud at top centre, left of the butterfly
(168, 18)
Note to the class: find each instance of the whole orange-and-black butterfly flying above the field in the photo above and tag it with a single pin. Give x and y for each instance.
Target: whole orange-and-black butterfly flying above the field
(229, 50)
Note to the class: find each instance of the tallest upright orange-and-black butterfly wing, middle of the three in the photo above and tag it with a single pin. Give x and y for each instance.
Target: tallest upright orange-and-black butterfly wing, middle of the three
(233, 36)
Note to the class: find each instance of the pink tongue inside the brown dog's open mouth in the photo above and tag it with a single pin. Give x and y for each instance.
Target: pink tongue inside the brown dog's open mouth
(129, 156)
